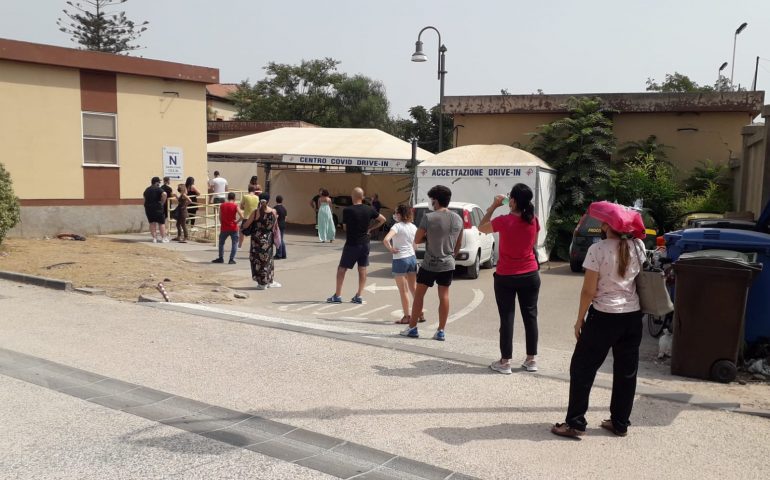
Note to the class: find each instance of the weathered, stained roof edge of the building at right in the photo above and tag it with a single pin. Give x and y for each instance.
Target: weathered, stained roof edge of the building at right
(646, 102)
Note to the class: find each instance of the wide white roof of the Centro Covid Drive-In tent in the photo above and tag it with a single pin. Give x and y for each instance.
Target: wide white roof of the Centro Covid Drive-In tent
(366, 143)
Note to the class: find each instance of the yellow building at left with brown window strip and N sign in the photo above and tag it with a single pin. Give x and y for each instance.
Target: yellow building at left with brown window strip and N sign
(83, 132)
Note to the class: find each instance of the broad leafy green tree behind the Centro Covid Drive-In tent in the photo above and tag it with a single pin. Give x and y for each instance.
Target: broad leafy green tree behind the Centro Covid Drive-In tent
(315, 92)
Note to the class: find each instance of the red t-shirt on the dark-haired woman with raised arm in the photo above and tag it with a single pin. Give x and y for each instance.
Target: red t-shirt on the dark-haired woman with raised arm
(517, 242)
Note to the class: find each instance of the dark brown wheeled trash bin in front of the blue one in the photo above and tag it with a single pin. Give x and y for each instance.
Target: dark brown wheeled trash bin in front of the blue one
(709, 307)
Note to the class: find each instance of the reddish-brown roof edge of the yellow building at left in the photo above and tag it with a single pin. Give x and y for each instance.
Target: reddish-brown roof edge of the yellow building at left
(41, 54)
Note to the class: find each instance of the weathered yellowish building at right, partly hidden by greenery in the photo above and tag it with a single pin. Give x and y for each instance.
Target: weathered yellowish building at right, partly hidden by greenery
(698, 126)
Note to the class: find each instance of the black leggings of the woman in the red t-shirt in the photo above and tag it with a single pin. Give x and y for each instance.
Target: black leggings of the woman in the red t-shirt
(527, 287)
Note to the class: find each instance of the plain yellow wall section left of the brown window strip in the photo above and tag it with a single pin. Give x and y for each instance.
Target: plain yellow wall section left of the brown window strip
(40, 130)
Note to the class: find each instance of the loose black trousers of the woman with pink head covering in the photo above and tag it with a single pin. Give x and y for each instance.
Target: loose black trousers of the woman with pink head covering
(623, 333)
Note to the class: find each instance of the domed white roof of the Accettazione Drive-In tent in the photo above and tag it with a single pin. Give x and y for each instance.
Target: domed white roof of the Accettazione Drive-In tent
(486, 156)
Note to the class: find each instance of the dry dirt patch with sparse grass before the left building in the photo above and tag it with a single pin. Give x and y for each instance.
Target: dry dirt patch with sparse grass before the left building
(125, 270)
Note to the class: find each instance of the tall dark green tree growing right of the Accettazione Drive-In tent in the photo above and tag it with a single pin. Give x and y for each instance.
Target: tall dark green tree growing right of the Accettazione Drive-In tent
(579, 148)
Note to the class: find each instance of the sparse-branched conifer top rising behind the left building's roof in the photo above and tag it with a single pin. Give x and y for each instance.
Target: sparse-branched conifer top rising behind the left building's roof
(90, 25)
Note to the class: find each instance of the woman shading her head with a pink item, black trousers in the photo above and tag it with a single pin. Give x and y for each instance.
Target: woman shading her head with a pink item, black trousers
(609, 317)
